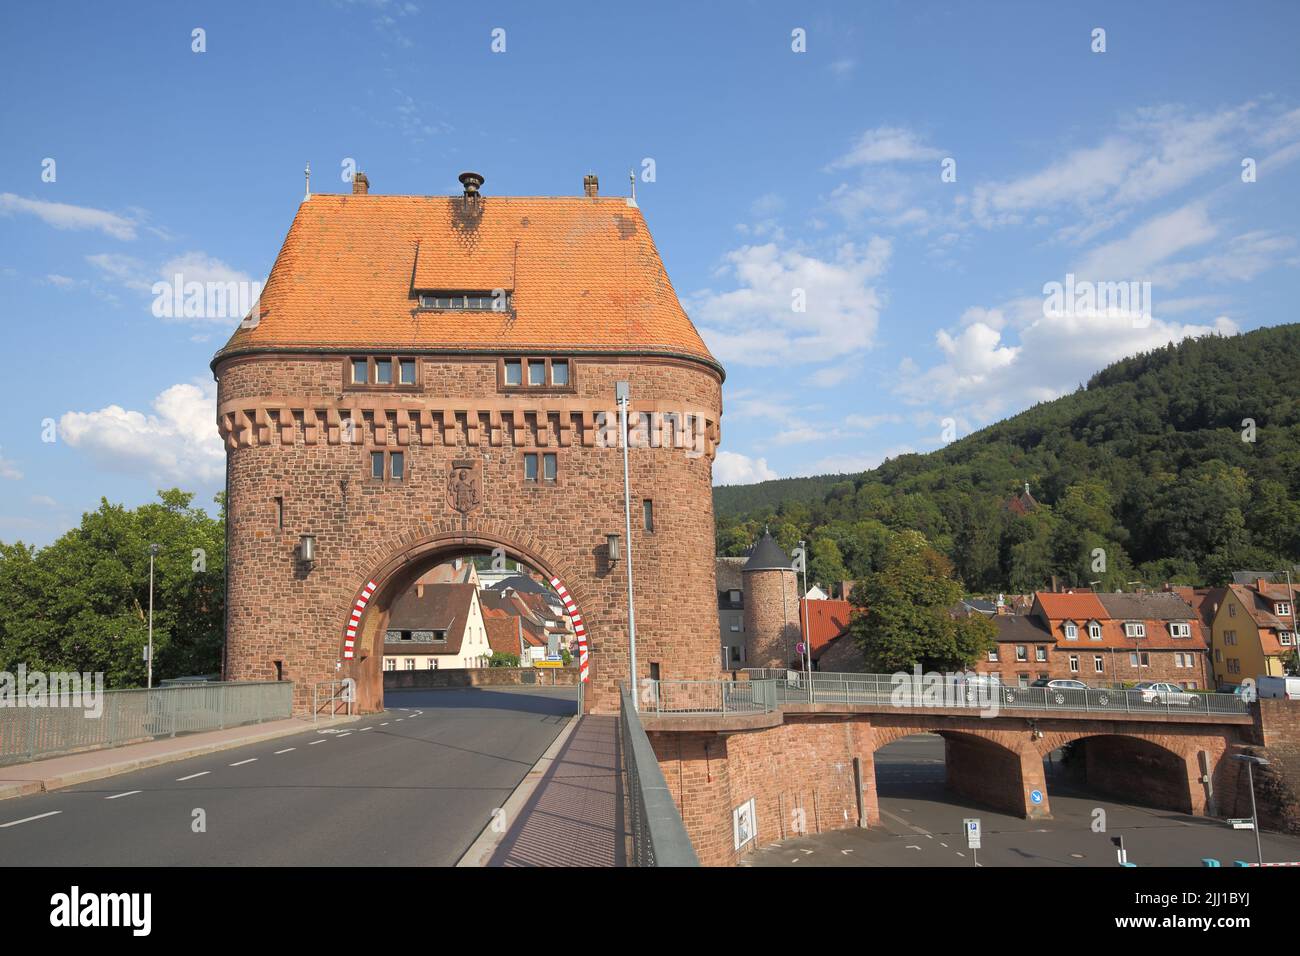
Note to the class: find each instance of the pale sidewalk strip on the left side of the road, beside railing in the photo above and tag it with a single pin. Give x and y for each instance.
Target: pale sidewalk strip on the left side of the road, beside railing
(54, 773)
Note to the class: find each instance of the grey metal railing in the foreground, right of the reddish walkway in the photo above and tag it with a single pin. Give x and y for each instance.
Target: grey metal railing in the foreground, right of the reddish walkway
(658, 836)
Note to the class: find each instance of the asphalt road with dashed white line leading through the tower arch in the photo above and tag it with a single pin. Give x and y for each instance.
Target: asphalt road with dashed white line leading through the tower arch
(413, 786)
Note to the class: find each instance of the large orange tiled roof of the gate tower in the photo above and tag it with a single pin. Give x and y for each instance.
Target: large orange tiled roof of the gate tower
(584, 276)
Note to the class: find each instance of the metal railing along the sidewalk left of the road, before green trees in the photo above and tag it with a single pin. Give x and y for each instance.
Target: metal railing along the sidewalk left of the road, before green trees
(125, 717)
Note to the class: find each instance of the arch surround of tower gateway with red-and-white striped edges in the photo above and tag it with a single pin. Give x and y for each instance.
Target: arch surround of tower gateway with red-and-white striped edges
(362, 648)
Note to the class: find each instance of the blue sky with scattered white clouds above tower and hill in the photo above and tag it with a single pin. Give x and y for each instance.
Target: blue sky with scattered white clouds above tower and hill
(779, 176)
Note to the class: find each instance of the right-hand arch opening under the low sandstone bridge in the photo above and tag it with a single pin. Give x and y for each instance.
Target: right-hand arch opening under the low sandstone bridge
(1126, 768)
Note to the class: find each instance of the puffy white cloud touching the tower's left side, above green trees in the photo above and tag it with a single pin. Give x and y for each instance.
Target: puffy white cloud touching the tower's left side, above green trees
(177, 443)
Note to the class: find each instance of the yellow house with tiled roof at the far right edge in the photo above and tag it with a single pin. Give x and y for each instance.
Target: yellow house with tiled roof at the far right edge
(1254, 631)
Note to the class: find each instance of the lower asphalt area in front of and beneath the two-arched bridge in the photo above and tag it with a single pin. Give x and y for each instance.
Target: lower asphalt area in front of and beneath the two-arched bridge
(922, 827)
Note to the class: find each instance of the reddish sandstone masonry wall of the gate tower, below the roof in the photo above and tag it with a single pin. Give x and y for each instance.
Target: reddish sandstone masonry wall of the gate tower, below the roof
(284, 612)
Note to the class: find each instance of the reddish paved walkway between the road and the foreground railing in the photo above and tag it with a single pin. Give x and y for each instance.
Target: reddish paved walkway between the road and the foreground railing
(575, 817)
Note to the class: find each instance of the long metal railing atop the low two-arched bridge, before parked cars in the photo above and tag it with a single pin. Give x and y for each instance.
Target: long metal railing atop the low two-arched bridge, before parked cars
(981, 694)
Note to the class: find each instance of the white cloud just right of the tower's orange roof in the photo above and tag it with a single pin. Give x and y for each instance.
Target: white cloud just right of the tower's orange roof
(757, 325)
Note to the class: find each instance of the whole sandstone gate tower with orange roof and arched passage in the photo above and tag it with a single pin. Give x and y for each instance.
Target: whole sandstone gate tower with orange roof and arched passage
(432, 377)
